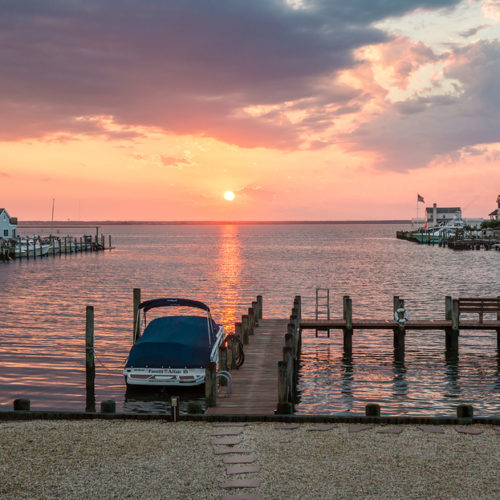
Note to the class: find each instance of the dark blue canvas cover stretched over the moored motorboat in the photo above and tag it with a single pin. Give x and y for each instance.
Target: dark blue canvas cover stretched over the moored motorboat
(175, 342)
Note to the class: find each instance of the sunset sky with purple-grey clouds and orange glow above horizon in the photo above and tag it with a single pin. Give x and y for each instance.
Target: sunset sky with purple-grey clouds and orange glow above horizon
(304, 109)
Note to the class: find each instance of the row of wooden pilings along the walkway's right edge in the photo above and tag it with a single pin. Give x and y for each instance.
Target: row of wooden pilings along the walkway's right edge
(288, 367)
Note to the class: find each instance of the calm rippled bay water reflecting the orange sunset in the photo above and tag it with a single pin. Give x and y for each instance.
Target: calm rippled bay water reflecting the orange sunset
(42, 323)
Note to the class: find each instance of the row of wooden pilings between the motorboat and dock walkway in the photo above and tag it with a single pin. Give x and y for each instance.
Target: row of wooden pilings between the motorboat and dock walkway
(229, 351)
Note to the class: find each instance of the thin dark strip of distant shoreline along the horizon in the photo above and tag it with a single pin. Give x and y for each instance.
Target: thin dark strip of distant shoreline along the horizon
(208, 223)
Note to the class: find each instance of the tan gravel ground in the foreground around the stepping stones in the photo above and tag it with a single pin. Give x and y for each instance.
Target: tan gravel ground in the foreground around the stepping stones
(154, 459)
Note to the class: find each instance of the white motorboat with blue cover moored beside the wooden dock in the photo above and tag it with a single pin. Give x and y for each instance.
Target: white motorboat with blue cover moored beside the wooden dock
(172, 350)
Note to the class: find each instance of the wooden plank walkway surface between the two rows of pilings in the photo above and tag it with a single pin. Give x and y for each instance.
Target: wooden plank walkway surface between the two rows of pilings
(255, 383)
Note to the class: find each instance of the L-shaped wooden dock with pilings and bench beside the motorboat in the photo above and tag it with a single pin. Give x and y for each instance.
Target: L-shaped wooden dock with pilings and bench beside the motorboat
(266, 383)
